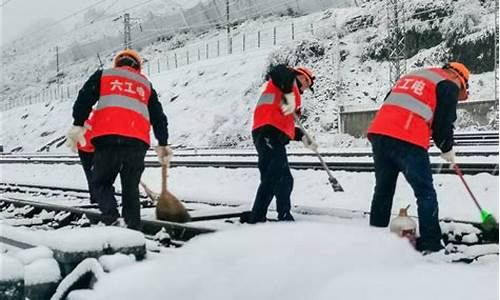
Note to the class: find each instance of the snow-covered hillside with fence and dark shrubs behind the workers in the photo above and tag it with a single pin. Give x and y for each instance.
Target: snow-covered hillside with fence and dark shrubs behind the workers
(209, 102)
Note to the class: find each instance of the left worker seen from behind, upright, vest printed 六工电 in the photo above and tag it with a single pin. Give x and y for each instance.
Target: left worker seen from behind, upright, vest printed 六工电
(126, 108)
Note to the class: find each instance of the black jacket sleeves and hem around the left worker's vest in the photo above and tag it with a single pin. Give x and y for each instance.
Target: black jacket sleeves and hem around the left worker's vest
(88, 96)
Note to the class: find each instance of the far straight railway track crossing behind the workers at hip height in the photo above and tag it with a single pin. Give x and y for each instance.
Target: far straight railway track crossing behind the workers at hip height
(348, 159)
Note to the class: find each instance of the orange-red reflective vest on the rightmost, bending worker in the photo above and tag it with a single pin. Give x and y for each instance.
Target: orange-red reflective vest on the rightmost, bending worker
(408, 111)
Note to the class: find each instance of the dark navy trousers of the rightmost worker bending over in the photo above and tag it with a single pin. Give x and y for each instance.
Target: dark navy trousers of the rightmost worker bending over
(392, 156)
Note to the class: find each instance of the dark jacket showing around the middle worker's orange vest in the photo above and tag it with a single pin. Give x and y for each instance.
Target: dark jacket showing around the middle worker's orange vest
(284, 78)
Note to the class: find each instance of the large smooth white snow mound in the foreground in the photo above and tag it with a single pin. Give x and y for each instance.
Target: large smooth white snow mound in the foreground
(297, 261)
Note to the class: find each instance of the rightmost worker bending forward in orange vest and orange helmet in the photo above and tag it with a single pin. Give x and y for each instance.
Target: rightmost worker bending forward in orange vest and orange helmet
(421, 104)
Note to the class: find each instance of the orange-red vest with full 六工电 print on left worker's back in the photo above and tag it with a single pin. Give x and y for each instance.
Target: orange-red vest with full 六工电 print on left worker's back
(122, 108)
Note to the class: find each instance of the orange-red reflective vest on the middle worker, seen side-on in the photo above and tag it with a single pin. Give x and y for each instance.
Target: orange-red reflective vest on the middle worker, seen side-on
(268, 110)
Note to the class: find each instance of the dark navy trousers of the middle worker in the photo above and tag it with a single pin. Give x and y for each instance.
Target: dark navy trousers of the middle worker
(275, 179)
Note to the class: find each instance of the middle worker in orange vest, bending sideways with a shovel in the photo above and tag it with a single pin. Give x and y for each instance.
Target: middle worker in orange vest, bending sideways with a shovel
(273, 128)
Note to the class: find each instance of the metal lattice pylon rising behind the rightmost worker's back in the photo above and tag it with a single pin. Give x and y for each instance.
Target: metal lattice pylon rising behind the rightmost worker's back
(397, 44)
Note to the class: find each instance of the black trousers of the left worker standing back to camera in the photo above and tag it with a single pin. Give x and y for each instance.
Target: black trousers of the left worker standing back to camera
(109, 161)
